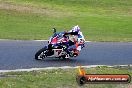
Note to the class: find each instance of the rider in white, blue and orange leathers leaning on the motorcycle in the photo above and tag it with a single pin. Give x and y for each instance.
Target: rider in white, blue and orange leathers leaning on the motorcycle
(76, 39)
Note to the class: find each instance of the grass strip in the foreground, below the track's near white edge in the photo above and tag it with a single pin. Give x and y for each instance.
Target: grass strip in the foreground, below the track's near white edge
(58, 78)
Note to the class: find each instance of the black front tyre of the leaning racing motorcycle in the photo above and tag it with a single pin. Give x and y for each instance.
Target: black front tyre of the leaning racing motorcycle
(41, 54)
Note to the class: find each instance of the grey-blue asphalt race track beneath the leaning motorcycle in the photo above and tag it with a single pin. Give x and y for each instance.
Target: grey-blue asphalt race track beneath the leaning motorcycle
(17, 54)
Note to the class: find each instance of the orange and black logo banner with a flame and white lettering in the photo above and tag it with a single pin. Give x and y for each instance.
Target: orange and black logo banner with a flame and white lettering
(83, 78)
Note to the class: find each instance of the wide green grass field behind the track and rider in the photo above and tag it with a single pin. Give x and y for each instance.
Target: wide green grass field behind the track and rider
(100, 20)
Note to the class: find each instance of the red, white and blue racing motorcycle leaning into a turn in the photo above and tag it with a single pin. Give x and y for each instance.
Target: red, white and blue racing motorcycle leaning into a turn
(56, 47)
